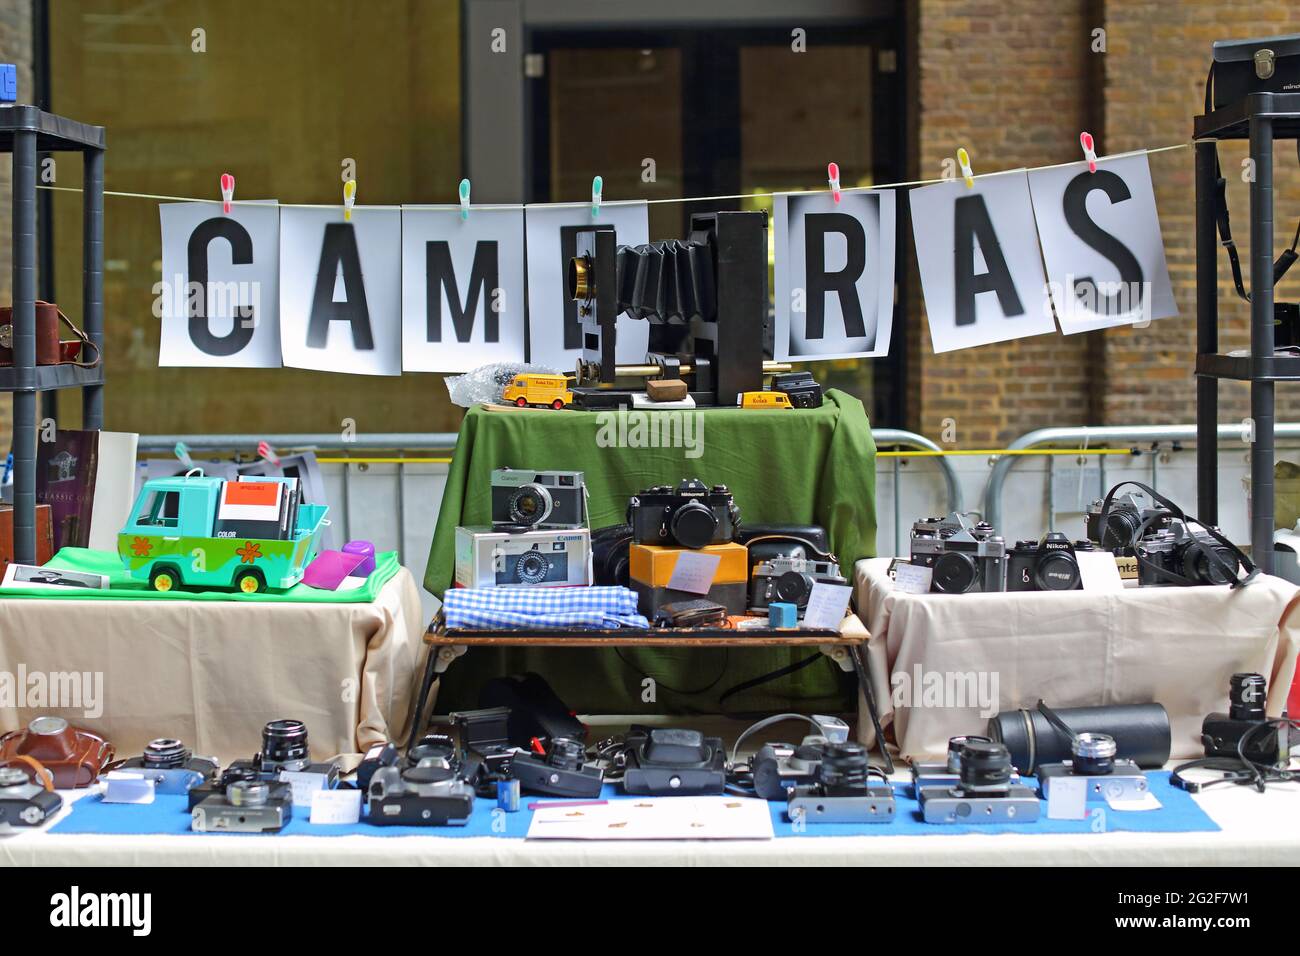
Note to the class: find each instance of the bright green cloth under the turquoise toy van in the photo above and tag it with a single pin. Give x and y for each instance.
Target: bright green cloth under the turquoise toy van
(123, 586)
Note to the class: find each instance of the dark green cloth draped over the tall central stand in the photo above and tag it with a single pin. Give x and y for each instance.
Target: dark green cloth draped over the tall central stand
(804, 466)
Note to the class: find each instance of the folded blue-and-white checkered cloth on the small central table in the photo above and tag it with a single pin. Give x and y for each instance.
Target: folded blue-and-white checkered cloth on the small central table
(541, 608)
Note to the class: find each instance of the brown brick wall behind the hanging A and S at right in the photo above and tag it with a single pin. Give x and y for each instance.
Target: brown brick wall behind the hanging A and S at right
(1016, 83)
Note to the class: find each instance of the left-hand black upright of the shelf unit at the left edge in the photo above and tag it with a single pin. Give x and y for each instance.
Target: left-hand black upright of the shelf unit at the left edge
(25, 347)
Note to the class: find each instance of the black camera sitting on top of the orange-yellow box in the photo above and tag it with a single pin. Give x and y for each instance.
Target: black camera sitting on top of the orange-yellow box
(690, 516)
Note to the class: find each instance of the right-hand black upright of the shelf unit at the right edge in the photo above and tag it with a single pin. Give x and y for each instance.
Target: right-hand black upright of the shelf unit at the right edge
(1262, 343)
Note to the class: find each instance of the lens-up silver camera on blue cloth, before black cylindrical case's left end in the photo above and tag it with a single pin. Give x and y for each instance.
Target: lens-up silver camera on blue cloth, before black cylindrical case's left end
(983, 793)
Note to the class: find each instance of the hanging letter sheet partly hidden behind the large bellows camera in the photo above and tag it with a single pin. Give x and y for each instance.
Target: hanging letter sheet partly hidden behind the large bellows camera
(554, 327)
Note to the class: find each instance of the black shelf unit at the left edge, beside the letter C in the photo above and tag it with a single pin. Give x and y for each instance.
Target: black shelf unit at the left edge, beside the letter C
(27, 132)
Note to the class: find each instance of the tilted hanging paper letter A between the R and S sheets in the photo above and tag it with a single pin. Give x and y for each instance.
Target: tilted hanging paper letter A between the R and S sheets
(978, 252)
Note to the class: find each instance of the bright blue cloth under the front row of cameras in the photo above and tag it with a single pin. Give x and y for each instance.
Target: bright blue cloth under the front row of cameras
(168, 815)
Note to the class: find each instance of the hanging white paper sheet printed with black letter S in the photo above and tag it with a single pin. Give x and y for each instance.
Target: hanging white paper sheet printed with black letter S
(1102, 243)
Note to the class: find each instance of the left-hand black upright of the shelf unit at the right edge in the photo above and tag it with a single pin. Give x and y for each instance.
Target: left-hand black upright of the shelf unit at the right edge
(1207, 335)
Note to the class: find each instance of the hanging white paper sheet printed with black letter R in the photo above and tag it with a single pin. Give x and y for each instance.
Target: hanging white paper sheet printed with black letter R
(835, 275)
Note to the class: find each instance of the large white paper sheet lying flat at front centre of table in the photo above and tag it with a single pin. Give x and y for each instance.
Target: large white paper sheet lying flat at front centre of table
(657, 819)
